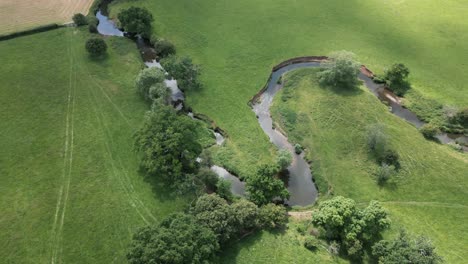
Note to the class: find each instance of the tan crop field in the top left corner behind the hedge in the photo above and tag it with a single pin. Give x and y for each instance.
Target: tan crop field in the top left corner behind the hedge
(17, 15)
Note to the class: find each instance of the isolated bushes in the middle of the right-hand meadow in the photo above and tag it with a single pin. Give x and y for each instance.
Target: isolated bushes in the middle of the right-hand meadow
(386, 157)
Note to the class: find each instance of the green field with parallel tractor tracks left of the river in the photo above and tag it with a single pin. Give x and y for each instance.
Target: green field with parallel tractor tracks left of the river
(107, 199)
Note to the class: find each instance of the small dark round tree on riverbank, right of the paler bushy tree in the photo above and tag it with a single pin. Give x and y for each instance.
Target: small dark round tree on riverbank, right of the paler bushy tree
(395, 78)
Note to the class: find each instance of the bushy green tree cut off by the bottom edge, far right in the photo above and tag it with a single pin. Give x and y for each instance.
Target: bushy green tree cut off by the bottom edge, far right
(406, 250)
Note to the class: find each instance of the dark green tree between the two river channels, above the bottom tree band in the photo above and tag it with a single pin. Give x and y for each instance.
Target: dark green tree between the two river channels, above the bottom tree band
(264, 186)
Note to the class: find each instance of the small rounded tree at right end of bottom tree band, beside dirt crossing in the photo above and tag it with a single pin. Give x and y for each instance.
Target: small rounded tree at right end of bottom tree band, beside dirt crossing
(272, 216)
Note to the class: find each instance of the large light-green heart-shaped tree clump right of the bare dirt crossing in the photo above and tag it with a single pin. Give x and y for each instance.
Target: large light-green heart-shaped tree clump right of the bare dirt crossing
(342, 221)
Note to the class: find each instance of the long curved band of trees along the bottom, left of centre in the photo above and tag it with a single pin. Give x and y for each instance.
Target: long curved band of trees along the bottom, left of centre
(197, 236)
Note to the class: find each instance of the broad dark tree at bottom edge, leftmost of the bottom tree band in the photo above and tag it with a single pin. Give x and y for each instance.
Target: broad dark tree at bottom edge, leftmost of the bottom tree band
(178, 239)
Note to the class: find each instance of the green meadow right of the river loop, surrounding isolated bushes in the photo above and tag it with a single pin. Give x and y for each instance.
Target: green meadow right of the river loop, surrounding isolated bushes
(431, 196)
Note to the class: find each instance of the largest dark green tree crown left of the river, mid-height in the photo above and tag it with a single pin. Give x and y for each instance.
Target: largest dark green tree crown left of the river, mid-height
(168, 146)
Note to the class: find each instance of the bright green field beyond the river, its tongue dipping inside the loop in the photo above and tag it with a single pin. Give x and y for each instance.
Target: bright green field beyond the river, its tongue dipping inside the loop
(237, 42)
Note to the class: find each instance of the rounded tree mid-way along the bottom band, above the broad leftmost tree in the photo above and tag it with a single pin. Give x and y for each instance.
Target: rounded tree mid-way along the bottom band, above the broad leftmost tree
(214, 212)
